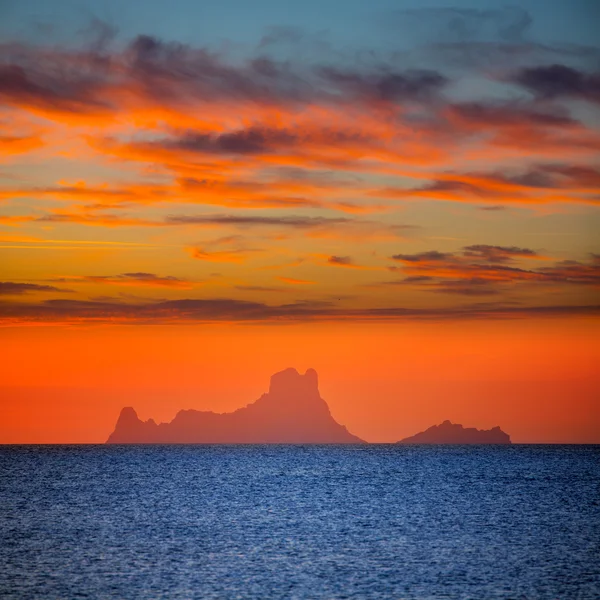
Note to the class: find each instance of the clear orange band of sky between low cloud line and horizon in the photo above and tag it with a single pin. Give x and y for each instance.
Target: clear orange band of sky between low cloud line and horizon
(535, 378)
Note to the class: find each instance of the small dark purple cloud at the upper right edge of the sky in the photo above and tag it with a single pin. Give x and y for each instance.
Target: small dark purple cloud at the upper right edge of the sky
(556, 80)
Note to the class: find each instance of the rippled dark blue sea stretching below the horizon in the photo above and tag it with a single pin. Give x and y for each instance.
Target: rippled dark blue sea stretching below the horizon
(369, 521)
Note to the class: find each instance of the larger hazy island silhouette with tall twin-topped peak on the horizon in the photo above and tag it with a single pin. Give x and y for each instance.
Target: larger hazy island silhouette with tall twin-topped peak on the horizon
(292, 412)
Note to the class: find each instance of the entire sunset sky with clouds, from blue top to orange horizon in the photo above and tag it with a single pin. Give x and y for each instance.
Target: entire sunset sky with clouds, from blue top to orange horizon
(402, 195)
